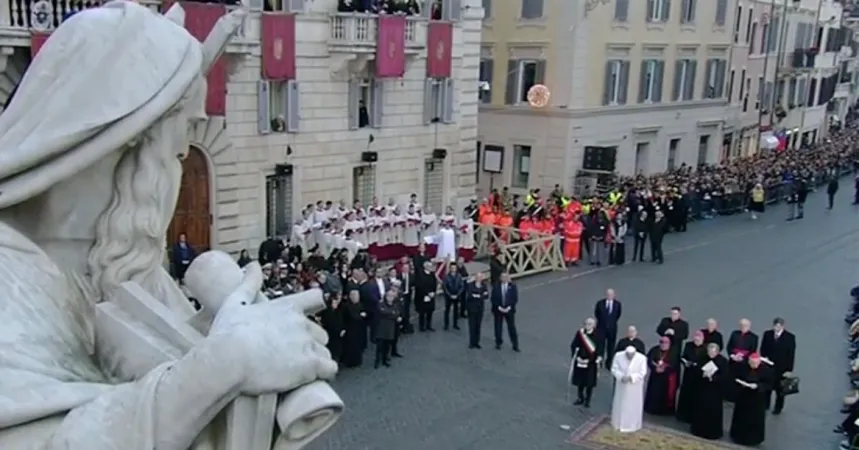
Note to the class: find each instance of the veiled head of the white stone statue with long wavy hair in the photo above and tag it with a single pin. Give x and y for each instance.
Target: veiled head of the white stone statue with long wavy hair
(112, 131)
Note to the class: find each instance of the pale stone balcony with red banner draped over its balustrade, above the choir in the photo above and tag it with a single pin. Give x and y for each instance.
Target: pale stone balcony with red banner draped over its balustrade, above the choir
(358, 33)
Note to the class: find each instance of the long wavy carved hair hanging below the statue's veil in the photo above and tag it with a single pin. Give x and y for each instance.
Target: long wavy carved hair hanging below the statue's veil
(130, 236)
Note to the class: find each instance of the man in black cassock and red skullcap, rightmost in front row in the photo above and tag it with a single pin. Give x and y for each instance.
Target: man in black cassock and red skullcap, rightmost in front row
(748, 423)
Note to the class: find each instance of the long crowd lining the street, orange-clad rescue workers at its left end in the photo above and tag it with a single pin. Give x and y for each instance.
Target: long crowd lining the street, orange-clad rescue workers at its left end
(644, 209)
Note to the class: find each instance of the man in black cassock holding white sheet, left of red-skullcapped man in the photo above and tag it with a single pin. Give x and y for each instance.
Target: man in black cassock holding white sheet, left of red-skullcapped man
(707, 414)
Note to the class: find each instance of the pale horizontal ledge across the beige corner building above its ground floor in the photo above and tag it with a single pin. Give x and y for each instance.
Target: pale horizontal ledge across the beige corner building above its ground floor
(601, 110)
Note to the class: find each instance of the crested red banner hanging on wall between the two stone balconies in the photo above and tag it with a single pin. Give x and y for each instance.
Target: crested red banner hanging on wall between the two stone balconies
(278, 46)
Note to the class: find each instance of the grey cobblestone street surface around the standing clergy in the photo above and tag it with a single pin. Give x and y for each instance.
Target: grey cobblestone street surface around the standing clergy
(444, 396)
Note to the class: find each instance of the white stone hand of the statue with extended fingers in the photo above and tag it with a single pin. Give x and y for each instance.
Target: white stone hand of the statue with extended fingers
(276, 346)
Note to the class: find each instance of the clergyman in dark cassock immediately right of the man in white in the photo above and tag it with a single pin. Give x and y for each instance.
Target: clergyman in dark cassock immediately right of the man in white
(664, 379)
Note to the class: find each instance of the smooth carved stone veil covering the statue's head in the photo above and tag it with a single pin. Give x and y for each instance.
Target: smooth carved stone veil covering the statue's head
(103, 77)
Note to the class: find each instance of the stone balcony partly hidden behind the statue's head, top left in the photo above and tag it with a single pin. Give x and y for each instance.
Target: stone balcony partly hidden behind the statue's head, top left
(21, 17)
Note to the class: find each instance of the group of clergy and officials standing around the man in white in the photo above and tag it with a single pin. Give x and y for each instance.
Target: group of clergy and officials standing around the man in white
(686, 378)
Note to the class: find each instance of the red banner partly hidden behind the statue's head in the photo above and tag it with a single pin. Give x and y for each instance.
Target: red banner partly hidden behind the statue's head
(200, 18)
